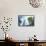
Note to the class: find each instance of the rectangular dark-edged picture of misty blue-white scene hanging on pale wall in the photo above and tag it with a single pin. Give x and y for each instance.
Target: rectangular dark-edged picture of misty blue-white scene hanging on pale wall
(25, 20)
